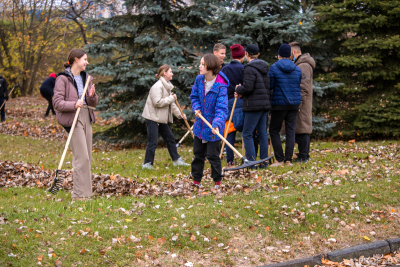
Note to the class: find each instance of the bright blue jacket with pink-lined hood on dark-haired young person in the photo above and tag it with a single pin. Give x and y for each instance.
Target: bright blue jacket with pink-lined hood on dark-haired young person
(213, 106)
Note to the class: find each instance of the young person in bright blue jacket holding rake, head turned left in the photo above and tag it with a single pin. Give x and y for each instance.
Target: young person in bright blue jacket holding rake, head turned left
(210, 99)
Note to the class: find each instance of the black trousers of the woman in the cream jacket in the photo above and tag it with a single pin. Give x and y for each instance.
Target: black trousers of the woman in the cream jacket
(152, 133)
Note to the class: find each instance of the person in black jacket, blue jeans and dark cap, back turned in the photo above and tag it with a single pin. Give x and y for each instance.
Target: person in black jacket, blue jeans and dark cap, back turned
(256, 102)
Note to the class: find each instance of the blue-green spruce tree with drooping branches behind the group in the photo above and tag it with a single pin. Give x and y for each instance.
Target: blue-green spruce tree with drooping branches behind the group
(134, 45)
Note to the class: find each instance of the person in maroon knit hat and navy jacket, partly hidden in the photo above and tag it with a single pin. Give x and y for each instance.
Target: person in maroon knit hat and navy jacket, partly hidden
(234, 73)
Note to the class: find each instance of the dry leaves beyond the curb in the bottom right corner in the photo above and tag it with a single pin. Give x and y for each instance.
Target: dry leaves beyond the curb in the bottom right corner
(376, 260)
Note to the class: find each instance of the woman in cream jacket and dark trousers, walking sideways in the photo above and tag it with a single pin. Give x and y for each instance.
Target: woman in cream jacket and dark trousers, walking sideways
(160, 105)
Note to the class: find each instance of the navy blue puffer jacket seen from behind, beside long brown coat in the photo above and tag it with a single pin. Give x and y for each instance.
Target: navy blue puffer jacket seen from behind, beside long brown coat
(285, 79)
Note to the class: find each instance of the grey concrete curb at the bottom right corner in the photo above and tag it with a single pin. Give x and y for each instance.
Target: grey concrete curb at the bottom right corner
(366, 250)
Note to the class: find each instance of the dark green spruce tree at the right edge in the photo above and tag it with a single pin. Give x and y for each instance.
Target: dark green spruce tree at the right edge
(365, 37)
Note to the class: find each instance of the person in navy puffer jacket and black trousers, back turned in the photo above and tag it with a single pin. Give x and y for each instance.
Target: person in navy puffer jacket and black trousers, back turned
(285, 78)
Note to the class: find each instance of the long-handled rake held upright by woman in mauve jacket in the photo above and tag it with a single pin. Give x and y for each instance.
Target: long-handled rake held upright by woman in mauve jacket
(60, 174)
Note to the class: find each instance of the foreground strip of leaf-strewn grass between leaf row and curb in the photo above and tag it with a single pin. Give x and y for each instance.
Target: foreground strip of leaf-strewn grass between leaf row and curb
(232, 220)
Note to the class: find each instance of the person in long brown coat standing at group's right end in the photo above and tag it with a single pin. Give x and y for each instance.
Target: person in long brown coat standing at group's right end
(304, 118)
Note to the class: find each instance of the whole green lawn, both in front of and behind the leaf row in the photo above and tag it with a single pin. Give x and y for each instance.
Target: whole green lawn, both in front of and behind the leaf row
(258, 227)
